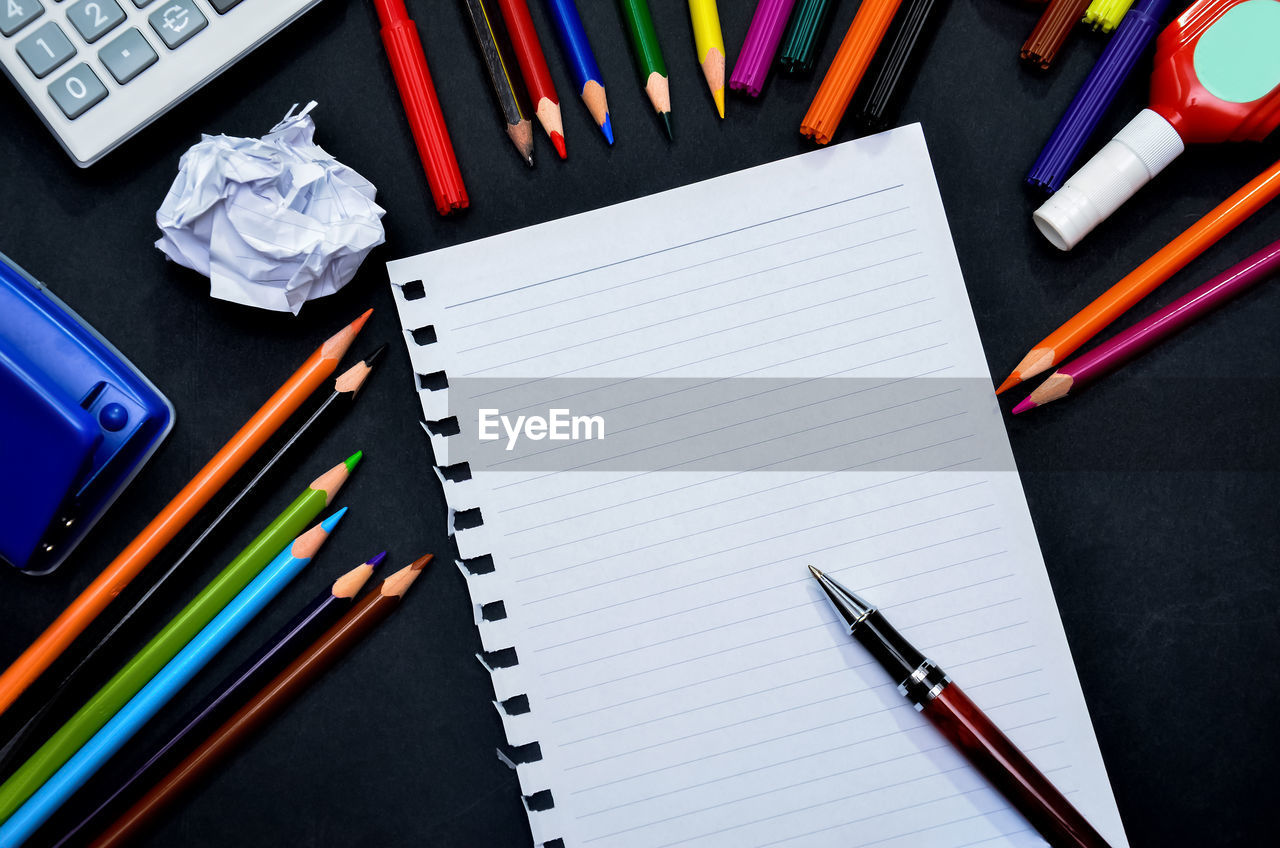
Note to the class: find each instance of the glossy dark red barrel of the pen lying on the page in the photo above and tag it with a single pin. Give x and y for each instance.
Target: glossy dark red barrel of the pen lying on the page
(1025, 786)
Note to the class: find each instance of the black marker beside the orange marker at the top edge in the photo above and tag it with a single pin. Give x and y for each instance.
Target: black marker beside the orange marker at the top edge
(897, 62)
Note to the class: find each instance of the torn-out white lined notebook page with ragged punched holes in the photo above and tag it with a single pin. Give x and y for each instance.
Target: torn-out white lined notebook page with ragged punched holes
(790, 373)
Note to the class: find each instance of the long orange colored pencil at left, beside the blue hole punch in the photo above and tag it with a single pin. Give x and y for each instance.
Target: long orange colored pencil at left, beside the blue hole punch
(176, 516)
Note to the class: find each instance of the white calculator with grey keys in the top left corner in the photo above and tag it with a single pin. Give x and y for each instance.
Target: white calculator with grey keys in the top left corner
(99, 71)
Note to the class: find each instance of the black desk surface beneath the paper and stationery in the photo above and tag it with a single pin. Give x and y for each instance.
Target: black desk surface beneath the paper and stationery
(1154, 495)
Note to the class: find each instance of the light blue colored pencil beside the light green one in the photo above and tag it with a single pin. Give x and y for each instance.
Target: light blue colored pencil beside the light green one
(171, 680)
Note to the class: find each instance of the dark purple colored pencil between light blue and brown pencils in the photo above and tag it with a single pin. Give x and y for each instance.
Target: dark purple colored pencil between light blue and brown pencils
(241, 685)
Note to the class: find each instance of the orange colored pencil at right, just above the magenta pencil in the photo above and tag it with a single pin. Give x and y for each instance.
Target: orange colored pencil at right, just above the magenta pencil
(1148, 277)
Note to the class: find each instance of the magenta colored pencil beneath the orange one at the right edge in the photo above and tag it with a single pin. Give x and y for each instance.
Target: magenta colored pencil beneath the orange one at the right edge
(1156, 327)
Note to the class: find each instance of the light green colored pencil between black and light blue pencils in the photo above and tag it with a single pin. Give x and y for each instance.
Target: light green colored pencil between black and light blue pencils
(166, 646)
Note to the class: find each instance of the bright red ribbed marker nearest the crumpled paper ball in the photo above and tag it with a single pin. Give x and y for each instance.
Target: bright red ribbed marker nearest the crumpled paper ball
(422, 107)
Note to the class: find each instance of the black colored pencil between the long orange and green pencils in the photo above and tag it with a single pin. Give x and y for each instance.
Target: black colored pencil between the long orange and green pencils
(346, 389)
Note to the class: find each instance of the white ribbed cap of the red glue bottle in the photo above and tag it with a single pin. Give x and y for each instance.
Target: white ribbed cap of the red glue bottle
(1139, 153)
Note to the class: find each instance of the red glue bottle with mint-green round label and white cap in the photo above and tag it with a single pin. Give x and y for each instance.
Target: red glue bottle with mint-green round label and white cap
(1217, 79)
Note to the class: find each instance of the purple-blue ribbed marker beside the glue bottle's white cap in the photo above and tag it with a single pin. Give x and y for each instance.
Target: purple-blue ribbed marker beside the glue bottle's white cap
(1081, 120)
